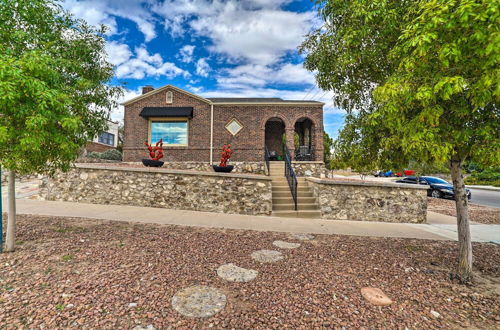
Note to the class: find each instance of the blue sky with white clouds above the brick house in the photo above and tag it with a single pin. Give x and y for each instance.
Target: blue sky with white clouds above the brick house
(225, 48)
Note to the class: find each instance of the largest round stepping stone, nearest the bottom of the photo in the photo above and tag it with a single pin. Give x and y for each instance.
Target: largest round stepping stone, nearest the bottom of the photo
(199, 301)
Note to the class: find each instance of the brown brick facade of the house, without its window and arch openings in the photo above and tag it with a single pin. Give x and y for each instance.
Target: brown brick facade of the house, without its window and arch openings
(248, 144)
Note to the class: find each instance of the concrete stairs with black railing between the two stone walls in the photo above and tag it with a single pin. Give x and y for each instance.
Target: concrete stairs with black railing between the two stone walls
(283, 205)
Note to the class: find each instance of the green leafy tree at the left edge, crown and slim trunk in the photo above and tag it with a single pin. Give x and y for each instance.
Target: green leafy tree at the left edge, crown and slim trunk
(54, 95)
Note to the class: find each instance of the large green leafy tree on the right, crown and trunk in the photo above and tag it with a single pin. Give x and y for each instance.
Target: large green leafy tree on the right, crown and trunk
(437, 99)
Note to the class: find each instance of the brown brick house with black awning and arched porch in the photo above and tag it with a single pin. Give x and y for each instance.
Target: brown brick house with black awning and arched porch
(194, 128)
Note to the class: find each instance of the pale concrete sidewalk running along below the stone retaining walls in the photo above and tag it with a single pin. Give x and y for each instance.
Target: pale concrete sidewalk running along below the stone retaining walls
(439, 227)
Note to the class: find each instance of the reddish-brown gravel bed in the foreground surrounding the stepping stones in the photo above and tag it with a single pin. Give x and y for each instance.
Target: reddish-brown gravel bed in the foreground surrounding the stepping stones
(80, 273)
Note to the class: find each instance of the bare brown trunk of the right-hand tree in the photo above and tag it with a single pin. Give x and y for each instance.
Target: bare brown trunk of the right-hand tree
(464, 240)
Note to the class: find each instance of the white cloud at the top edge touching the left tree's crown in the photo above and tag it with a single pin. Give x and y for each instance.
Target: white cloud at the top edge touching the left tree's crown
(97, 12)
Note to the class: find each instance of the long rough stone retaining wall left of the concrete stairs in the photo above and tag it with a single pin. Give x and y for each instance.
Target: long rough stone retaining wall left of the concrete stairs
(173, 189)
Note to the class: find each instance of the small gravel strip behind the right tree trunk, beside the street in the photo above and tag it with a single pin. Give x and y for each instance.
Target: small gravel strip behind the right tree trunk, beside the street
(477, 213)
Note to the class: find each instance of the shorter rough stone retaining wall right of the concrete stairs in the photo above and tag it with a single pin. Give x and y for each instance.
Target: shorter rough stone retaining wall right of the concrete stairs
(387, 202)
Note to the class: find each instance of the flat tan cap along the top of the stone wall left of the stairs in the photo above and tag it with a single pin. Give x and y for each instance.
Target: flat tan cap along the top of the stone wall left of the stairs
(172, 171)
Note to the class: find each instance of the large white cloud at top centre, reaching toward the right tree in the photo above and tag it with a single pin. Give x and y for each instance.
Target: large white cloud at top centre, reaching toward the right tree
(251, 31)
